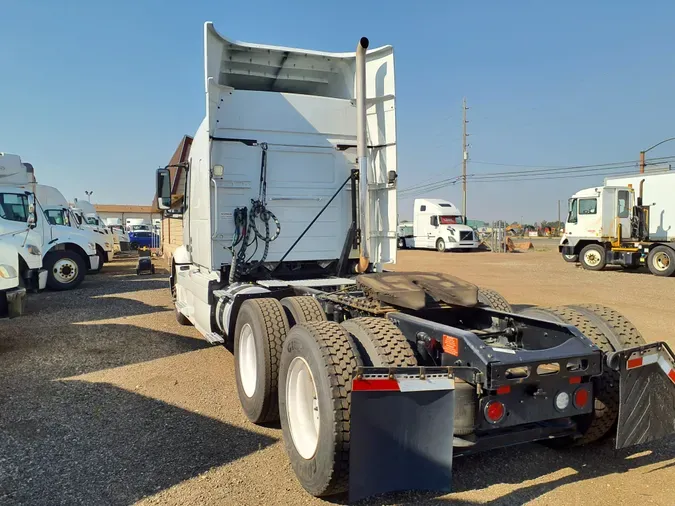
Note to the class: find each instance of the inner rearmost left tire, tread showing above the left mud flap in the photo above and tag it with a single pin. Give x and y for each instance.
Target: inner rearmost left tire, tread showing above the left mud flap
(380, 343)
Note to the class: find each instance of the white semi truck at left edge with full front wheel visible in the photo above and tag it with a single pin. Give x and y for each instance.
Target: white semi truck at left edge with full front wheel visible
(65, 256)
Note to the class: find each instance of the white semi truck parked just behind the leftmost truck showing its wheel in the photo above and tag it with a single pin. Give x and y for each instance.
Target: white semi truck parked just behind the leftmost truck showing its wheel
(64, 222)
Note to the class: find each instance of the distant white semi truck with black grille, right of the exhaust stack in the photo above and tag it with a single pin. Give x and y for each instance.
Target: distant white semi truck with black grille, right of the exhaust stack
(438, 224)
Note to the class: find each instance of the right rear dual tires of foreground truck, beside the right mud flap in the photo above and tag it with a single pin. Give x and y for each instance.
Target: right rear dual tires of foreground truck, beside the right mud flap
(602, 325)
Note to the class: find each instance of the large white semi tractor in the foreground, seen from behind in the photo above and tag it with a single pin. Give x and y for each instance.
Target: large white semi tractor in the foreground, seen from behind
(379, 379)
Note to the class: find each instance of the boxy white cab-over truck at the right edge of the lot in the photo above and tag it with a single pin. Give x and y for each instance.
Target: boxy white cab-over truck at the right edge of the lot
(627, 222)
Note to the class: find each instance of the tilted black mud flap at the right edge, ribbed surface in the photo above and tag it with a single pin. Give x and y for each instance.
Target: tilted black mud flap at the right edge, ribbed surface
(646, 393)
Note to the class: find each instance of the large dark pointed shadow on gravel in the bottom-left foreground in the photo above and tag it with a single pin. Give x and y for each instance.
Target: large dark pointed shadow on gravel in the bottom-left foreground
(73, 442)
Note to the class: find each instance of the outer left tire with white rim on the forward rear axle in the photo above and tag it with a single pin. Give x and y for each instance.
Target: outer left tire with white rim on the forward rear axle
(259, 336)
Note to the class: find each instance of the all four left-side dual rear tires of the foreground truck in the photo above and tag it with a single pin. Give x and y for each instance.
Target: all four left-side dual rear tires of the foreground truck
(295, 366)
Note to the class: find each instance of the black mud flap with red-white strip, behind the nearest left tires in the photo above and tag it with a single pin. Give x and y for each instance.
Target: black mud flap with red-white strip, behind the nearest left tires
(401, 430)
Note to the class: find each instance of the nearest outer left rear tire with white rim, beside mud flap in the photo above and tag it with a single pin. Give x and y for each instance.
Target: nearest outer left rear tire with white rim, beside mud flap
(315, 382)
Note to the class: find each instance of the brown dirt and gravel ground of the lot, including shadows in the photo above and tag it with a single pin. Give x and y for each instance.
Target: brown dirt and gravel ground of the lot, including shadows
(104, 399)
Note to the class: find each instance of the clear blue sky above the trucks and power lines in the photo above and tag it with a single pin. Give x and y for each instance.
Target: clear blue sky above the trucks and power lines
(98, 94)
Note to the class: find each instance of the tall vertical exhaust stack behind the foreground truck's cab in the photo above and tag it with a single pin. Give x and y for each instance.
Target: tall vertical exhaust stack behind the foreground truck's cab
(362, 151)
